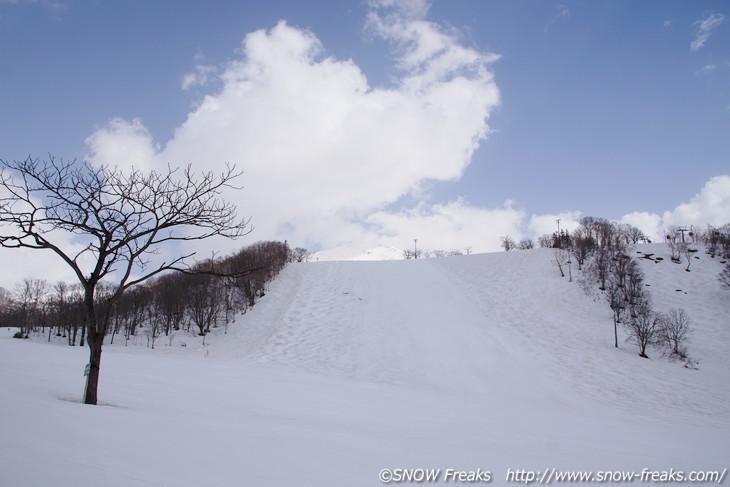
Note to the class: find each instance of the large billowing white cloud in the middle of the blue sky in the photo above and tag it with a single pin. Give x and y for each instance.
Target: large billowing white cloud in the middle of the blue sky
(320, 148)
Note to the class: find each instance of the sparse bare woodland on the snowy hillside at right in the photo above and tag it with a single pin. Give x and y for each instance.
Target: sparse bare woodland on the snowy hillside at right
(601, 250)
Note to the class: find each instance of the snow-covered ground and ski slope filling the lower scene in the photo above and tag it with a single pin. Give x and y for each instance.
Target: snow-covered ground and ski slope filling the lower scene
(488, 362)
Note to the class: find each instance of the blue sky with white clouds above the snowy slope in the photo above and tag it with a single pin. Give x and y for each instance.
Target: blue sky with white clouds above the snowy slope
(452, 121)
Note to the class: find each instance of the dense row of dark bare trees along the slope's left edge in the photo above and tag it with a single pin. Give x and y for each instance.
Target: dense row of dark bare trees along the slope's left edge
(161, 306)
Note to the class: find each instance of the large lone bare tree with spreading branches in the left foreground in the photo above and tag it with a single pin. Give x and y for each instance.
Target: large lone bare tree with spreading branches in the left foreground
(118, 219)
